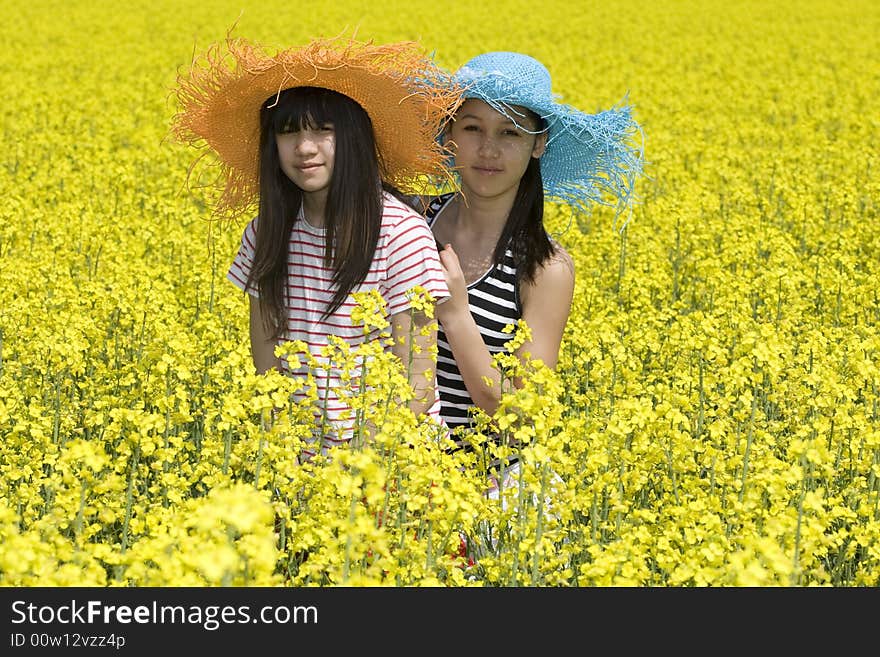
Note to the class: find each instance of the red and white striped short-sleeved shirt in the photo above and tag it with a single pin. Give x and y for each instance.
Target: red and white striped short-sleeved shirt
(406, 256)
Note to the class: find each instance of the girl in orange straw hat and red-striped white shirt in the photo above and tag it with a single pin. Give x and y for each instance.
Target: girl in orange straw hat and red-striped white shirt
(315, 141)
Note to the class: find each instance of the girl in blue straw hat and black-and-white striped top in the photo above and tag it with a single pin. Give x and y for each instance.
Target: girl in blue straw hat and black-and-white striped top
(514, 147)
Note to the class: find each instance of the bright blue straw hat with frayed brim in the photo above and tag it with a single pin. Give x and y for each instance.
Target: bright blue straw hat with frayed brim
(590, 158)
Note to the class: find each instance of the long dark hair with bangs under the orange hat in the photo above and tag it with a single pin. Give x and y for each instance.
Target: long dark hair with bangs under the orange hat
(353, 213)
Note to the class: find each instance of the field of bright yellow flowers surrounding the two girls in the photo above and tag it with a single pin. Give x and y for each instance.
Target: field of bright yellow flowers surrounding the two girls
(715, 418)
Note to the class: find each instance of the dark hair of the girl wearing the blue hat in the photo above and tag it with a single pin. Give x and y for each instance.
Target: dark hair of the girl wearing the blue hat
(524, 230)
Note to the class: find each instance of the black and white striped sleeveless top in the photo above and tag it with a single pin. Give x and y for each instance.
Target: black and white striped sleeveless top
(494, 303)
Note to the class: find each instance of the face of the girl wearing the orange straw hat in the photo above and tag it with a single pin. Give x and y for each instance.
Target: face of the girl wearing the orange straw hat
(307, 155)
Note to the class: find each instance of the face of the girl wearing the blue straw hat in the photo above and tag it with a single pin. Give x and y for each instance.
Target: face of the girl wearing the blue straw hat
(491, 152)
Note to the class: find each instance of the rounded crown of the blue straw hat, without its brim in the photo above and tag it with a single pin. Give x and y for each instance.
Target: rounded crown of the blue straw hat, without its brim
(508, 77)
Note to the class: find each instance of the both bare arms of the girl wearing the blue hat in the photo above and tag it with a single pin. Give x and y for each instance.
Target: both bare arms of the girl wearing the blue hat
(546, 305)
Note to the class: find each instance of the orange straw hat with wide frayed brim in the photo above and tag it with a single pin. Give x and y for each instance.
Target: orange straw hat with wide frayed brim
(406, 96)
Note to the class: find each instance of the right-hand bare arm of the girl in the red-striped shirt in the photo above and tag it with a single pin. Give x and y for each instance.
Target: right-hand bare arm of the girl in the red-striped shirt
(415, 340)
